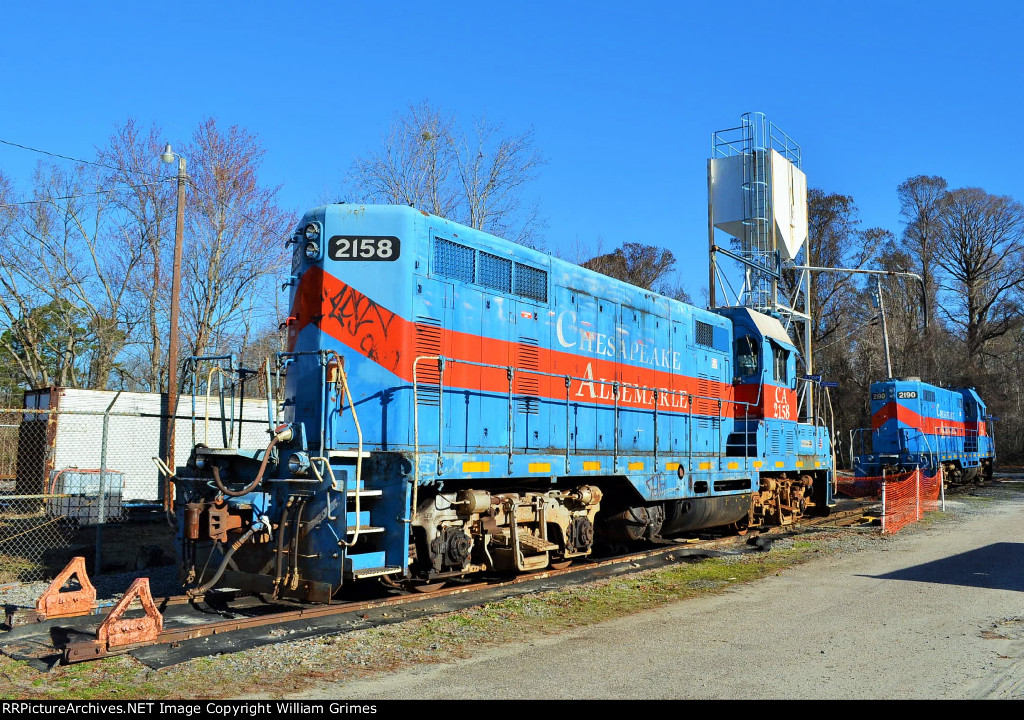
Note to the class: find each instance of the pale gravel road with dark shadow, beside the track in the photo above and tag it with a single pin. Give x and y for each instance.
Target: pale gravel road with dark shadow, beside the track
(935, 613)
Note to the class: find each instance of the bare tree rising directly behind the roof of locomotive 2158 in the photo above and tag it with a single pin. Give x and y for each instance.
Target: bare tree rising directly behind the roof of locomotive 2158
(476, 179)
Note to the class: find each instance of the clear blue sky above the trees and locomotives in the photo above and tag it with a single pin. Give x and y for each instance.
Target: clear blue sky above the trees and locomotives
(624, 98)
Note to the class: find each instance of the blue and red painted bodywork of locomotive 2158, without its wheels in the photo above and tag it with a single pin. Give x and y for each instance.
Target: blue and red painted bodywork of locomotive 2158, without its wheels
(457, 293)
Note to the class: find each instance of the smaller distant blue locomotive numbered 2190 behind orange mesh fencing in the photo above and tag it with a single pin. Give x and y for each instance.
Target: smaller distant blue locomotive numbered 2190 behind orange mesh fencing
(915, 425)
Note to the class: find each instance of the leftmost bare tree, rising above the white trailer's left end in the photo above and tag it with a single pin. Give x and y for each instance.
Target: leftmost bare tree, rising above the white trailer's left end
(66, 281)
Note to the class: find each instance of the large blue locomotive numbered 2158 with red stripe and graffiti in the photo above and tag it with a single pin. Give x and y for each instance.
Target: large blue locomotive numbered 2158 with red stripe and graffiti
(456, 403)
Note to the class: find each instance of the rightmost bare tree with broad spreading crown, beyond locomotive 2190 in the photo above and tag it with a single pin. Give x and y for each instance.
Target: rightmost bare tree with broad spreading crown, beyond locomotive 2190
(980, 249)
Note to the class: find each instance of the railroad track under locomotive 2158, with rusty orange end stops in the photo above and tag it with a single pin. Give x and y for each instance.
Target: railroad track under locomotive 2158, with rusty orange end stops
(173, 629)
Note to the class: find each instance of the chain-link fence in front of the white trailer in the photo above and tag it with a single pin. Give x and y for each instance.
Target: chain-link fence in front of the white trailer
(78, 477)
